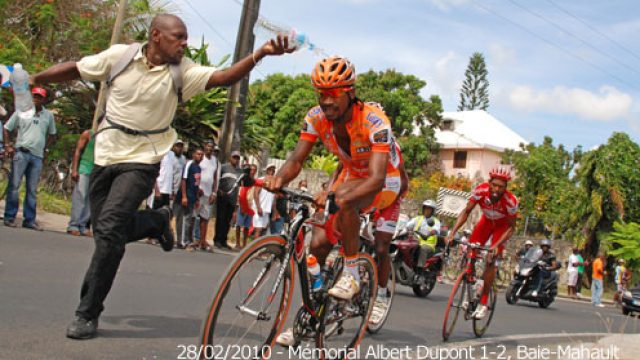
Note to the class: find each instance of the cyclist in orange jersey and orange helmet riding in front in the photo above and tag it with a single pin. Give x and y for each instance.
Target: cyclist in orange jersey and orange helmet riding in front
(360, 135)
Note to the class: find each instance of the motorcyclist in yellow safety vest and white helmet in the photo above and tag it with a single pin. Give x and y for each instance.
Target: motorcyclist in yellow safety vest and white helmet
(426, 234)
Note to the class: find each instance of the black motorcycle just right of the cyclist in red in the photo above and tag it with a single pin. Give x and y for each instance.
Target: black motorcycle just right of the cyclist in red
(524, 281)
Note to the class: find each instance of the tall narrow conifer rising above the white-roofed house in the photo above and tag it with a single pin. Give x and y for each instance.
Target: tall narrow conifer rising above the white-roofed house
(474, 94)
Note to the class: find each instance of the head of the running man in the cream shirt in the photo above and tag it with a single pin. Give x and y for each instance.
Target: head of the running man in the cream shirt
(167, 39)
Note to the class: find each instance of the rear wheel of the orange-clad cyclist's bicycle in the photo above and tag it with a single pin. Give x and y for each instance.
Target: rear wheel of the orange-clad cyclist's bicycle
(345, 322)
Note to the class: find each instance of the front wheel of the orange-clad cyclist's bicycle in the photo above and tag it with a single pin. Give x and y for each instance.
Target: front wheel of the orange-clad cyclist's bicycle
(246, 310)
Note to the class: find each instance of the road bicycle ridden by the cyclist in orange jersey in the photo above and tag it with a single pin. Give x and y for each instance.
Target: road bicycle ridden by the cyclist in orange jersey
(250, 306)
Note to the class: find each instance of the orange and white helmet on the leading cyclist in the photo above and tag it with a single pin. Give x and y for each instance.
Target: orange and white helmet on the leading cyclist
(333, 72)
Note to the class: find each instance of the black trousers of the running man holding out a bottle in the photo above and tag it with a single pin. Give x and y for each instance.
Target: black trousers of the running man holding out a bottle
(116, 192)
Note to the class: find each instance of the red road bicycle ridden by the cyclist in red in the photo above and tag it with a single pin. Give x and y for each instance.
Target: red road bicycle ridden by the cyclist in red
(465, 296)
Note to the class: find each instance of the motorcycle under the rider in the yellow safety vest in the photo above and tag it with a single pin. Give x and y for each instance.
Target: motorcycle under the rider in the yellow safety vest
(405, 250)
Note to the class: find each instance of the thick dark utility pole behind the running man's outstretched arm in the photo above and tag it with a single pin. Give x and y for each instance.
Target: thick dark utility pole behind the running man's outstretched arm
(235, 107)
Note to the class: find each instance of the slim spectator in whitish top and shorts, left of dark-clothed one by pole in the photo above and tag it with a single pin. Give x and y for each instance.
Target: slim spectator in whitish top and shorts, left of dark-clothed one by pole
(209, 187)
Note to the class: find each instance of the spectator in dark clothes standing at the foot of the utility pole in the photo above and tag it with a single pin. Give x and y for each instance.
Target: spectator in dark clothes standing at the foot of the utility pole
(226, 200)
